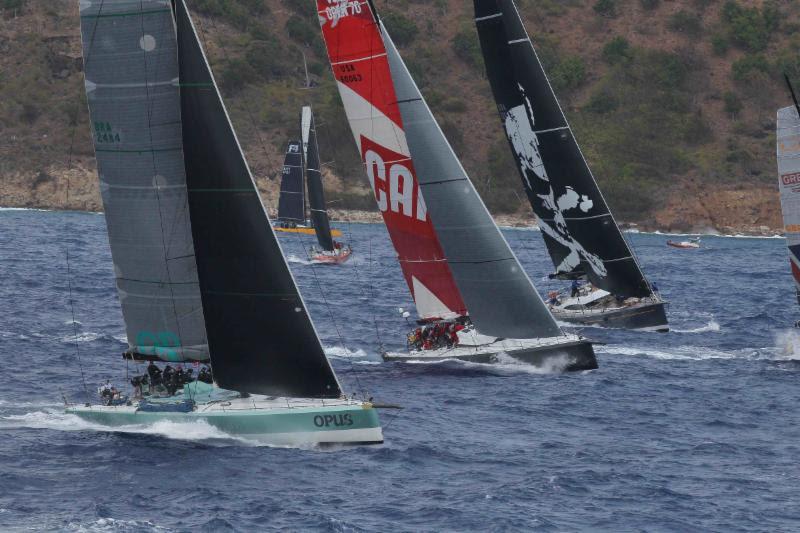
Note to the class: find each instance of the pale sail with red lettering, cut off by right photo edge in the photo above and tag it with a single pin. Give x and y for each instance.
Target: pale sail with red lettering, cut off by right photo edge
(788, 140)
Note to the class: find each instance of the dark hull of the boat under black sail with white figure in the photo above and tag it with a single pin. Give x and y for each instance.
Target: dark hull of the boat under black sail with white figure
(648, 317)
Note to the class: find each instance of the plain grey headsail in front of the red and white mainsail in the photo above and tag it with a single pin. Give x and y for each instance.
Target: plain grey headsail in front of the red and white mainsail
(501, 299)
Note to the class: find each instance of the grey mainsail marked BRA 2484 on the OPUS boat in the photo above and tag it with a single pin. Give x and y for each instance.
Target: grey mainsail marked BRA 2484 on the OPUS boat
(131, 70)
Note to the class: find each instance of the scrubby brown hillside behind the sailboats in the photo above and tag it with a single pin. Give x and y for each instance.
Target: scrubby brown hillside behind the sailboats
(672, 101)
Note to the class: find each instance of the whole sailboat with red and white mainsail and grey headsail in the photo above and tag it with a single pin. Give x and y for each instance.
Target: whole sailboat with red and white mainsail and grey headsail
(407, 156)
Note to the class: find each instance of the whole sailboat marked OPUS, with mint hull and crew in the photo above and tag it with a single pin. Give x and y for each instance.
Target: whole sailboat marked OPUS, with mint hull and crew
(200, 273)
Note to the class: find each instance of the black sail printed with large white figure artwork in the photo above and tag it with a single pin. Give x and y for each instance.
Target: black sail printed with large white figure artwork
(578, 228)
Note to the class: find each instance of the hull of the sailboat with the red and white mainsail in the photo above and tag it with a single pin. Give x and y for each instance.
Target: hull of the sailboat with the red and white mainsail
(566, 357)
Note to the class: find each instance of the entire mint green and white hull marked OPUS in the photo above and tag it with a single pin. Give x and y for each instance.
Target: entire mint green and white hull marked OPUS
(314, 425)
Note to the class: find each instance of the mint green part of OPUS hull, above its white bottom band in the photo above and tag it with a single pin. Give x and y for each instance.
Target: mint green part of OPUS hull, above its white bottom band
(248, 422)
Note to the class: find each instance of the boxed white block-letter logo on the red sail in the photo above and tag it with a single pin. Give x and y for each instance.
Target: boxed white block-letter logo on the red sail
(396, 188)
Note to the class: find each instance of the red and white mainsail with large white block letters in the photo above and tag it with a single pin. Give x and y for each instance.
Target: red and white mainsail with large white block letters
(360, 66)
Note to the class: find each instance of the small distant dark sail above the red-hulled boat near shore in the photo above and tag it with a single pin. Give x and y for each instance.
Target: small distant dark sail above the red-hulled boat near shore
(316, 192)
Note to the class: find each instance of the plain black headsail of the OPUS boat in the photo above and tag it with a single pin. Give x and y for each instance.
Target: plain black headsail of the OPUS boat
(260, 335)
